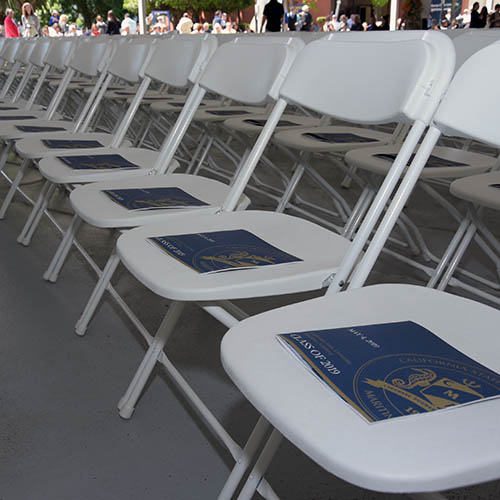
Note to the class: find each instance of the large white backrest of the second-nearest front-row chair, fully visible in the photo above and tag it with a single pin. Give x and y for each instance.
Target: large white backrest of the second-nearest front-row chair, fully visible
(393, 76)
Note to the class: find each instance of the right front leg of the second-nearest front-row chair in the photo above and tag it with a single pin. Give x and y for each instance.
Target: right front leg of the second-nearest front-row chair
(127, 403)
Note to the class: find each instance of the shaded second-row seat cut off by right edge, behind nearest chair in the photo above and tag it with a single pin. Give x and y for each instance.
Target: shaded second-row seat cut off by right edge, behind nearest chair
(478, 189)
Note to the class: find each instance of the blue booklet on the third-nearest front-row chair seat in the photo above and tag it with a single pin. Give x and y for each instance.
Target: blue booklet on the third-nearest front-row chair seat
(153, 198)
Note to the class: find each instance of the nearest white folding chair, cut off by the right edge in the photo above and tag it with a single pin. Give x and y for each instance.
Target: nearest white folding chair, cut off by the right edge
(337, 438)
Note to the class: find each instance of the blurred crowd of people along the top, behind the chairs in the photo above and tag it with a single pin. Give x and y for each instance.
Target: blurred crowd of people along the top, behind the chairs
(274, 18)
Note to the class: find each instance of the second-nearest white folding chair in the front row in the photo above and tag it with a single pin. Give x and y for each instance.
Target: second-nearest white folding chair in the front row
(409, 96)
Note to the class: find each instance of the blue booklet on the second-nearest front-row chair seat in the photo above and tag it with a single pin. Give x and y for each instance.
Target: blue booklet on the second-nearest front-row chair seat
(222, 250)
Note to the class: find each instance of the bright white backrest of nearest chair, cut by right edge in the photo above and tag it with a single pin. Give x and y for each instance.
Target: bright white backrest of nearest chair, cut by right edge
(478, 119)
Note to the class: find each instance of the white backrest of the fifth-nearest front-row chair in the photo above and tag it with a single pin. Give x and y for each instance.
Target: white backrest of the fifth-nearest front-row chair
(128, 58)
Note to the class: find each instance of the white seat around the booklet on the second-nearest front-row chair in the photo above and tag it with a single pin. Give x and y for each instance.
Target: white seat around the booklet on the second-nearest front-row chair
(171, 279)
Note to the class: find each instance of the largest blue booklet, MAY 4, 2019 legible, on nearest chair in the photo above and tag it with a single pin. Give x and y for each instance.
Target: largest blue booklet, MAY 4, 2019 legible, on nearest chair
(392, 370)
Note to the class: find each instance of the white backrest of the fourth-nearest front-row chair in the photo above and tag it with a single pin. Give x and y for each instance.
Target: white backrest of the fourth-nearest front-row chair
(166, 65)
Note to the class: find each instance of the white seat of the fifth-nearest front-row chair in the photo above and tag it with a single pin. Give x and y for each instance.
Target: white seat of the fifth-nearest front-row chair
(32, 147)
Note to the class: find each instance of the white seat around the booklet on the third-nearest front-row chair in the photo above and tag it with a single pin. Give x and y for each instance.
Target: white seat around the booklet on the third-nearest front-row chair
(95, 208)
